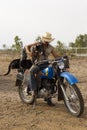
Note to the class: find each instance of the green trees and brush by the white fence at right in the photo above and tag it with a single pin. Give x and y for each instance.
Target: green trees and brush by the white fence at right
(80, 42)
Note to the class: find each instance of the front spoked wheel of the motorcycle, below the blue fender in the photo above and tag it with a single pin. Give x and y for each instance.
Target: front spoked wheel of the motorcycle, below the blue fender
(74, 101)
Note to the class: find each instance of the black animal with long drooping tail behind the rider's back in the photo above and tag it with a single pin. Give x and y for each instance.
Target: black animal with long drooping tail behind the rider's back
(17, 63)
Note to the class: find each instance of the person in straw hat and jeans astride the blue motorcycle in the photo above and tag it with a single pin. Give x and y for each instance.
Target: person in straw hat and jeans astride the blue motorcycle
(39, 54)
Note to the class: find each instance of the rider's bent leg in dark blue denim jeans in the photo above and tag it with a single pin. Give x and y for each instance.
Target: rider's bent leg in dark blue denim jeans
(32, 78)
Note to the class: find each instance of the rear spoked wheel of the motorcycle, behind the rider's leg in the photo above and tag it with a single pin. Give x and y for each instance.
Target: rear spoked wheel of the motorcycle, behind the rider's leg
(26, 94)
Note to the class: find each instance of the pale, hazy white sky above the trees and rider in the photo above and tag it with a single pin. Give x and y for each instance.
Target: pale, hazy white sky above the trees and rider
(64, 19)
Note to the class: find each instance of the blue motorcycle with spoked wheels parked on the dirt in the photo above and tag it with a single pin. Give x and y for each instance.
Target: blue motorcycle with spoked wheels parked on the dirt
(56, 82)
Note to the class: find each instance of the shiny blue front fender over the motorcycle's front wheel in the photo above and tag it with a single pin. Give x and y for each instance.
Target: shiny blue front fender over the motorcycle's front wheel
(68, 76)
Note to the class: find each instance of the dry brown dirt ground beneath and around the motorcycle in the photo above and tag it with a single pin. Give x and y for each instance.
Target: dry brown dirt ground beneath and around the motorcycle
(15, 115)
